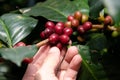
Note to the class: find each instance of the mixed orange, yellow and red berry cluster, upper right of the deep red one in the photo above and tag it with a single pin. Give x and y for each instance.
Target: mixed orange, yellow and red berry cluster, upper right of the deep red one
(78, 22)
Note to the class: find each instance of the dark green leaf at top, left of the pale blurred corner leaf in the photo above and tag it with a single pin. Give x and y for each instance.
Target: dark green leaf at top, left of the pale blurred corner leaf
(95, 7)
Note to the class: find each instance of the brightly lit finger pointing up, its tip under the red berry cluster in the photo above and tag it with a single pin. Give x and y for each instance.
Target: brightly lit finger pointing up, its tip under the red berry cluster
(51, 61)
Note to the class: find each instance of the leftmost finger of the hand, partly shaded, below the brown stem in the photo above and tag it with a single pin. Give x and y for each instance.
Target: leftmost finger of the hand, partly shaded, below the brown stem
(40, 55)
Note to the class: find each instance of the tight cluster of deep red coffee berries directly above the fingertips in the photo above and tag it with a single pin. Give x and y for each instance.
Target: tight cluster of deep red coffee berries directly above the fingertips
(57, 34)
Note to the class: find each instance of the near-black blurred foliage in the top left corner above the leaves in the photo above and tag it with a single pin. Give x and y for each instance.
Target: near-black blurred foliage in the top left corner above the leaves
(11, 5)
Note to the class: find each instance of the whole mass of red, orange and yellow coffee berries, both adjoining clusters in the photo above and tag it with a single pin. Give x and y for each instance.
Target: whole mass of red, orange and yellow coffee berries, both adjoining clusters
(59, 33)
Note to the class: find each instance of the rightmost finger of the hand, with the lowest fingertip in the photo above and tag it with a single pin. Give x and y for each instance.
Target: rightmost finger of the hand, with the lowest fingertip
(73, 68)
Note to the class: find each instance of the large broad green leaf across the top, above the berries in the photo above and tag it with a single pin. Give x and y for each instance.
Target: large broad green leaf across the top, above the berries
(56, 10)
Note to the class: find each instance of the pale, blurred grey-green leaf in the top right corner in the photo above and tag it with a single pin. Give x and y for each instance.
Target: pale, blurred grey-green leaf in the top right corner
(113, 8)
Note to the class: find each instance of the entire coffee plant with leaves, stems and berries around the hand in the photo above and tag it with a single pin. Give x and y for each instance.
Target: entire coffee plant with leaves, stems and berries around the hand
(91, 25)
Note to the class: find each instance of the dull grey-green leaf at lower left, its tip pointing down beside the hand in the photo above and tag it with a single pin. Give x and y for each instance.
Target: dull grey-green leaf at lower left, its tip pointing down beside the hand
(16, 55)
